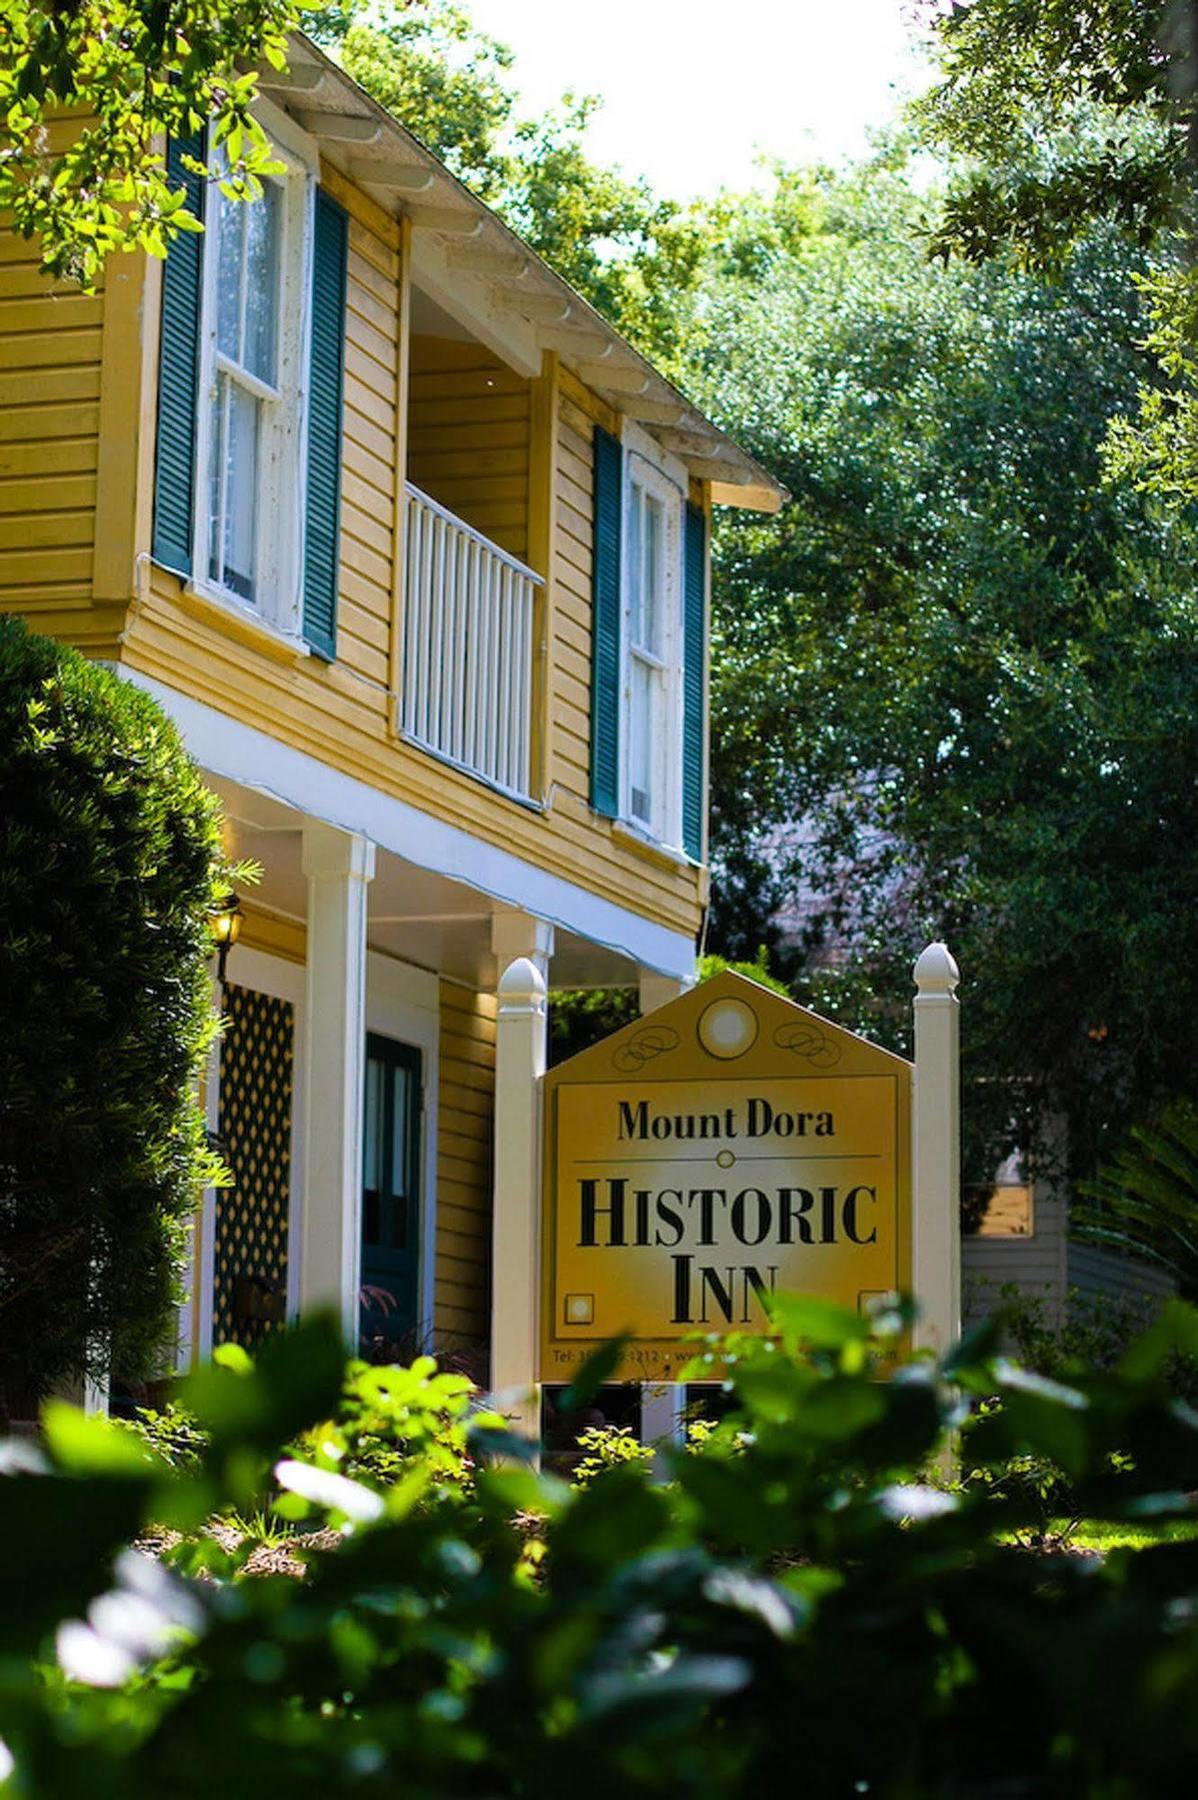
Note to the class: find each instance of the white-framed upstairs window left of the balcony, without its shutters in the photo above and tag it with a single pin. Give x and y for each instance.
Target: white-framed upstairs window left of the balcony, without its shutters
(253, 379)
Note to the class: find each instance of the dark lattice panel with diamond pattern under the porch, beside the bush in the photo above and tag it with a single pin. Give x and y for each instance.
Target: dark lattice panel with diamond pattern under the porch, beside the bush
(251, 1277)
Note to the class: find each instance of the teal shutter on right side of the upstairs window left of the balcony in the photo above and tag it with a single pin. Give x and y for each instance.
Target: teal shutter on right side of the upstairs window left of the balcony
(323, 517)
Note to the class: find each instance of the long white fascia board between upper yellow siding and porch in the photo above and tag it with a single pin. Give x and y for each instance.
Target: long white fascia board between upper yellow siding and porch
(249, 757)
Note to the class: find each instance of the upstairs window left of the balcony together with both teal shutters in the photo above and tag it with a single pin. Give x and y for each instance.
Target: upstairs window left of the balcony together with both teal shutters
(251, 386)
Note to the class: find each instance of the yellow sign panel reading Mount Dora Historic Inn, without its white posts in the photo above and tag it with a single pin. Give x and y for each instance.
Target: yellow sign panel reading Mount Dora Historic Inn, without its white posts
(722, 1149)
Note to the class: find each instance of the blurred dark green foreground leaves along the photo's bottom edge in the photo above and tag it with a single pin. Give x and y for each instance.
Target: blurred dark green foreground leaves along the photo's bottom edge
(798, 1597)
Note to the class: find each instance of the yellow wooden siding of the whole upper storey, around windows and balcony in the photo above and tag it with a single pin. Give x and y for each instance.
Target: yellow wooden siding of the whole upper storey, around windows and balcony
(341, 714)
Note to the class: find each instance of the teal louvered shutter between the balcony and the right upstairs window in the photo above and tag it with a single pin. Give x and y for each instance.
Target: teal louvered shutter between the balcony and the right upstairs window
(605, 627)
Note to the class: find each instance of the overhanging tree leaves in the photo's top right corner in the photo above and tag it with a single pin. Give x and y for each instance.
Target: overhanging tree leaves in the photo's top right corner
(1064, 116)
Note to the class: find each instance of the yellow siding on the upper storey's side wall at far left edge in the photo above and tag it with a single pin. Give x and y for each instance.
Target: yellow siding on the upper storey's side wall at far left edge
(51, 350)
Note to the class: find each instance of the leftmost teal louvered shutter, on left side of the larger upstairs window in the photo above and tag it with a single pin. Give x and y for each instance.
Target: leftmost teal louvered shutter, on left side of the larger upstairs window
(179, 373)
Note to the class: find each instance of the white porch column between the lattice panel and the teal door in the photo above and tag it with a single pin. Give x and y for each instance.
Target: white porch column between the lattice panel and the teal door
(339, 867)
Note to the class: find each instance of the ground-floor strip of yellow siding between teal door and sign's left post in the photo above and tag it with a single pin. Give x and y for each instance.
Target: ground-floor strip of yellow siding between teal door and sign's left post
(465, 1124)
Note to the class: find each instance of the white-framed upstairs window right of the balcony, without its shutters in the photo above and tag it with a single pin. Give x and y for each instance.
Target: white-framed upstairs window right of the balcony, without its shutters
(652, 775)
